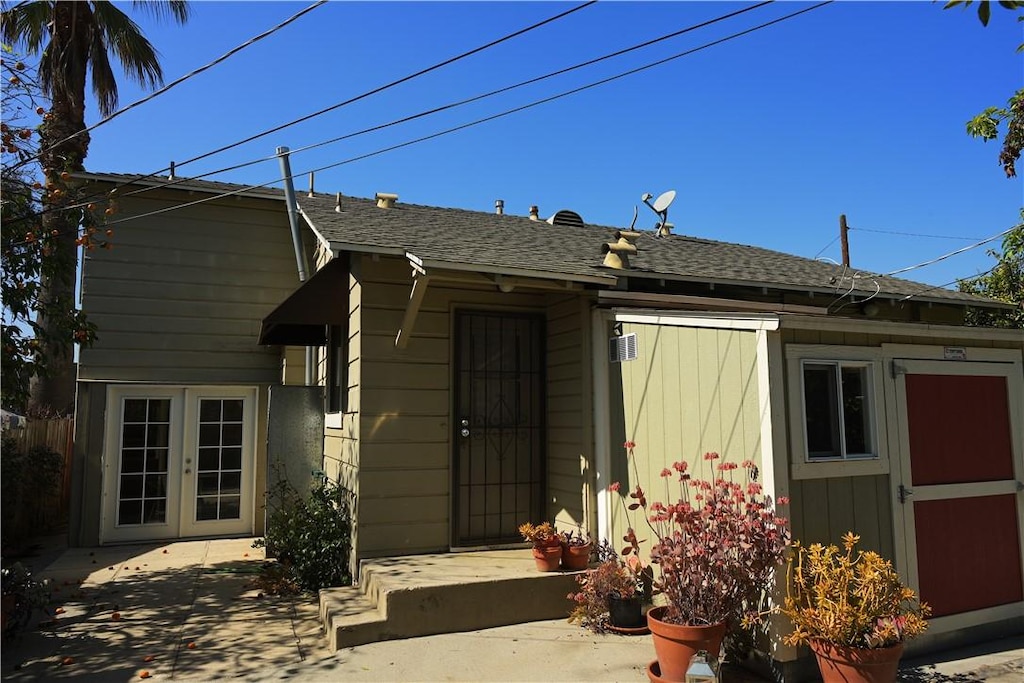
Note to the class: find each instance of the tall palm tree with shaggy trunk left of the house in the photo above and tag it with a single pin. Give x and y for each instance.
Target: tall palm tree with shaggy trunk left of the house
(74, 39)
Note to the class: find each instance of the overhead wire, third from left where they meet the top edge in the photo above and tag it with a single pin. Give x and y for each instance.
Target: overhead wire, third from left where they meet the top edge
(455, 105)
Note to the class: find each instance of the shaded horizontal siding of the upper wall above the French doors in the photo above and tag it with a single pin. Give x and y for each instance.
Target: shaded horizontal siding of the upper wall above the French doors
(181, 296)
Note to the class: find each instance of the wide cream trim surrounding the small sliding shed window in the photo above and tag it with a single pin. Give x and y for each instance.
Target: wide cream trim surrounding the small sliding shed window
(802, 465)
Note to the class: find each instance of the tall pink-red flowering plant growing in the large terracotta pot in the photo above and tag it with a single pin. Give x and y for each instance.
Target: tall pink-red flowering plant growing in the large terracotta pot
(716, 547)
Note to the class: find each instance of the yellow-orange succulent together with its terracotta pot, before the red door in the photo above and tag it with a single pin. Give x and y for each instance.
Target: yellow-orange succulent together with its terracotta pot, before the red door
(852, 610)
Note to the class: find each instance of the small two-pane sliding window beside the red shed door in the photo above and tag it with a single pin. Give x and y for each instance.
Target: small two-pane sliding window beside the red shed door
(838, 410)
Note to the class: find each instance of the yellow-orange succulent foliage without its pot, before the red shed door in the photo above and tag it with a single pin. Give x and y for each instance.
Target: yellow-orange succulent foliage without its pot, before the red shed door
(851, 601)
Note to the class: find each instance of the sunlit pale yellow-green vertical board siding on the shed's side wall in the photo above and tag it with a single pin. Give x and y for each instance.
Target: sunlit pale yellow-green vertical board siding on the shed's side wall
(691, 392)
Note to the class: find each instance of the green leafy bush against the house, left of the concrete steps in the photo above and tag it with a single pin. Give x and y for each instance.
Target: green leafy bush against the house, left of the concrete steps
(311, 536)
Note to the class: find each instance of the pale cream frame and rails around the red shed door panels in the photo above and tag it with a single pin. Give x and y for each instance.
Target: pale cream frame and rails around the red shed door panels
(904, 360)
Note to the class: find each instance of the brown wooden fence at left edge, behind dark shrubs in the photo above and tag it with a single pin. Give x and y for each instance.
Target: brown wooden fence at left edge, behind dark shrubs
(51, 509)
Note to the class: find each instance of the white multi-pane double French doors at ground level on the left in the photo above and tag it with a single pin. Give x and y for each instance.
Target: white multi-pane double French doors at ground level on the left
(179, 463)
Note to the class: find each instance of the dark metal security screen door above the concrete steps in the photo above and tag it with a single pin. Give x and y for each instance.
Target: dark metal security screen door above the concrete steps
(499, 428)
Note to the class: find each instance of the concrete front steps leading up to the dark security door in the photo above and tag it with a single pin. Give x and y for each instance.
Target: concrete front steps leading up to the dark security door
(422, 595)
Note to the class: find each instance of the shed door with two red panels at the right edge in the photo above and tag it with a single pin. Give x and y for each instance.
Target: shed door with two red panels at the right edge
(961, 464)
